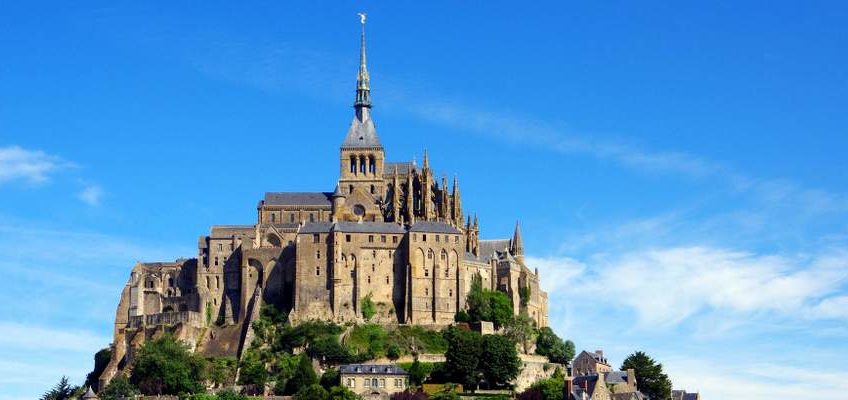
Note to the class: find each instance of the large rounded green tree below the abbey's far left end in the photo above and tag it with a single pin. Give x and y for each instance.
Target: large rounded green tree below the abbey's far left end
(166, 366)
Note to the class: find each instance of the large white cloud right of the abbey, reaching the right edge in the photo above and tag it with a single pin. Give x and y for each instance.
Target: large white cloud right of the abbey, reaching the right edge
(667, 286)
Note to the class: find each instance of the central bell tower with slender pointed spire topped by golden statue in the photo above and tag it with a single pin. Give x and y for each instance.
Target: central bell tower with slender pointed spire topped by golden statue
(361, 153)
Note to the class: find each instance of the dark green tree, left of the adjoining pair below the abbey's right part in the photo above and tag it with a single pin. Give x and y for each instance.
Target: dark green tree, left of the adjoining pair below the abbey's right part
(462, 357)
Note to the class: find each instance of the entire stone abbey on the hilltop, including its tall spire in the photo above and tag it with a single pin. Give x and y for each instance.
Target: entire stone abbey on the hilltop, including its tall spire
(389, 231)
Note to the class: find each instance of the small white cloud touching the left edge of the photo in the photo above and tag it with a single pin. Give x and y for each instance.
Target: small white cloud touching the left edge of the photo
(31, 166)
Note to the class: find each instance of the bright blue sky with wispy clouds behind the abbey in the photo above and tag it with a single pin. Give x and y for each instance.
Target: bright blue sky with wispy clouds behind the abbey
(679, 170)
